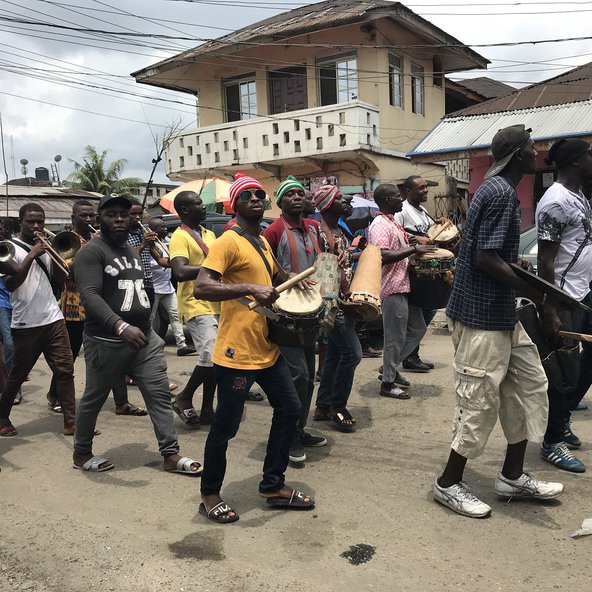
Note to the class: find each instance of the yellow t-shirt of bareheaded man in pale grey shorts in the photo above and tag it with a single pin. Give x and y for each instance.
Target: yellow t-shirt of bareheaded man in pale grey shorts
(183, 245)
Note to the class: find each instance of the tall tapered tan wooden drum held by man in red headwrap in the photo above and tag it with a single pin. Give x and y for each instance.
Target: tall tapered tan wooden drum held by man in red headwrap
(363, 302)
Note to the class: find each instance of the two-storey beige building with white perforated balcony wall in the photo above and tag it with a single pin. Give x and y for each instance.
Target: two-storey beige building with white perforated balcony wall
(341, 89)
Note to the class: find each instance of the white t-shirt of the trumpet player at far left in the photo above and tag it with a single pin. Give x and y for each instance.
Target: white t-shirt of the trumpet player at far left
(33, 302)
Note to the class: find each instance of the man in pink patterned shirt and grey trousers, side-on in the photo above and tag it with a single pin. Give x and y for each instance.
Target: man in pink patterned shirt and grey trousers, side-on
(404, 325)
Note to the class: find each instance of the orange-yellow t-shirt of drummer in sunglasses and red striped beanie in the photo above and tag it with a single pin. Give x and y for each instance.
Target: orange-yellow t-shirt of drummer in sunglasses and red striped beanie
(242, 340)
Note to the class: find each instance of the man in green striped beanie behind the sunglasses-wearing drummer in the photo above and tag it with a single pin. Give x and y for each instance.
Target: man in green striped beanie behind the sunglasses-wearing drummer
(295, 243)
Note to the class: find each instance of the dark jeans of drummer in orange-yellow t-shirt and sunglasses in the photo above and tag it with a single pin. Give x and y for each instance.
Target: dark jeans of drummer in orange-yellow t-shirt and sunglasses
(233, 387)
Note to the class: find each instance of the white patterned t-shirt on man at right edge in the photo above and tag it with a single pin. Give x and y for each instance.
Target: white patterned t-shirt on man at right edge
(565, 217)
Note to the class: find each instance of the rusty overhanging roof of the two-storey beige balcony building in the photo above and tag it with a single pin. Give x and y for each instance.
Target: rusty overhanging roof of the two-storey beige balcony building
(313, 17)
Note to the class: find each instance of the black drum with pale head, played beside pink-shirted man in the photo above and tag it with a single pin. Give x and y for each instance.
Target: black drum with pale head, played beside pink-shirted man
(431, 277)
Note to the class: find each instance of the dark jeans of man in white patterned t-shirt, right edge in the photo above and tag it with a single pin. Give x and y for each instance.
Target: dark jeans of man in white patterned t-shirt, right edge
(560, 404)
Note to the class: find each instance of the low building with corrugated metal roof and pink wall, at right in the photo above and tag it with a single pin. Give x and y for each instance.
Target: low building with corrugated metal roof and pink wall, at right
(559, 107)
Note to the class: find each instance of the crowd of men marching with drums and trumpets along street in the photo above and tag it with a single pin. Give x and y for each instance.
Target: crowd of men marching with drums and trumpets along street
(123, 272)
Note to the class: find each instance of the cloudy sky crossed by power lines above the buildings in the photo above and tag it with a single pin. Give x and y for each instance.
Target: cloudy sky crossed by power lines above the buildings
(61, 88)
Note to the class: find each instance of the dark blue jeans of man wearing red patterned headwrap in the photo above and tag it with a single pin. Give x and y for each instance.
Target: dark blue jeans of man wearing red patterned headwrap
(344, 353)
